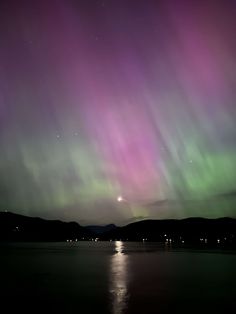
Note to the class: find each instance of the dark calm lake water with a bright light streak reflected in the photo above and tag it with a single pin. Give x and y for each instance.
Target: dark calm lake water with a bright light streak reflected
(115, 277)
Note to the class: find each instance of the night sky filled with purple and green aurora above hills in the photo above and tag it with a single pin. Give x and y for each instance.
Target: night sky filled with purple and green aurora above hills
(109, 98)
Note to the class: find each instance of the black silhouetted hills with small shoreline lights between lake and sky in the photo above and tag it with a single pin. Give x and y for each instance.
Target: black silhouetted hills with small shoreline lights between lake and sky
(193, 232)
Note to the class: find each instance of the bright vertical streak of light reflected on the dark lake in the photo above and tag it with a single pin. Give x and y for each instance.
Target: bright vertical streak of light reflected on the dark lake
(118, 282)
